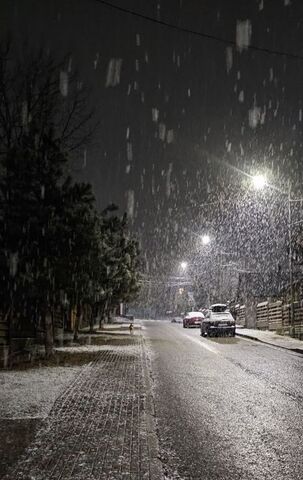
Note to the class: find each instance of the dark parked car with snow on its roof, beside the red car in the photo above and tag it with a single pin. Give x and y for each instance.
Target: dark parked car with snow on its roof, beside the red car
(218, 321)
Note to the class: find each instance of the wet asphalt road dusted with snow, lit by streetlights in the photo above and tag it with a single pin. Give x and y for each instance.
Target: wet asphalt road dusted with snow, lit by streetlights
(227, 409)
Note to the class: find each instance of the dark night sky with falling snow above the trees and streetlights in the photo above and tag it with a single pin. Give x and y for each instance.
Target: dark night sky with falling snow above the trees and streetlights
(185, 77)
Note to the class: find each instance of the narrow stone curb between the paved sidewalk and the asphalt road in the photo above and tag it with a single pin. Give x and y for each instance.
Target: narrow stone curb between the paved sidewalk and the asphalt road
(156, 471)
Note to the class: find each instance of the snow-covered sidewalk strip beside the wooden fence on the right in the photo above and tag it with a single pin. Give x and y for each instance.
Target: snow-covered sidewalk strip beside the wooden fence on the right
(271, 338)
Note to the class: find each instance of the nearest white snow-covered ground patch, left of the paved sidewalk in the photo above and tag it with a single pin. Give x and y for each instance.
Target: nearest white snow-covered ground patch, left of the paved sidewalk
(32, 393)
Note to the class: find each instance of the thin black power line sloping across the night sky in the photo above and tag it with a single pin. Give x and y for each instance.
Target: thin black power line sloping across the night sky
(197, 33)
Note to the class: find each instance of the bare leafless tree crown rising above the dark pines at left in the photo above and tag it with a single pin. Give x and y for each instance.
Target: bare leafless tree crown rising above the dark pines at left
(32, 102)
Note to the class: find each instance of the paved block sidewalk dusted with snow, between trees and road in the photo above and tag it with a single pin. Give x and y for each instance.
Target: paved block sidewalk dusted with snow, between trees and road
(102, 426)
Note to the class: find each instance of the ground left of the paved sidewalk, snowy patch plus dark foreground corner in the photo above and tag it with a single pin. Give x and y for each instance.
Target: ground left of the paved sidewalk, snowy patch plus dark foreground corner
(26, 398)
